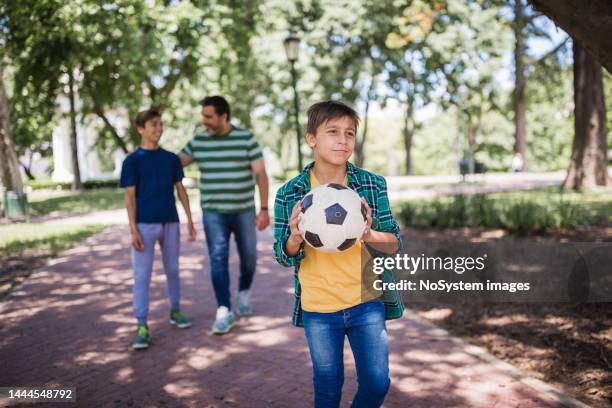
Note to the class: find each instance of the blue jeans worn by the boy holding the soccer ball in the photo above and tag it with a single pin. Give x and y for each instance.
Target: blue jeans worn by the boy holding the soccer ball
(364, 325)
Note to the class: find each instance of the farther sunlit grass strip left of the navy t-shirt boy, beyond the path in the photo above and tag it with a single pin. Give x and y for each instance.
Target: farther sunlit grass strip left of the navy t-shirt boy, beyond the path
(50, 203)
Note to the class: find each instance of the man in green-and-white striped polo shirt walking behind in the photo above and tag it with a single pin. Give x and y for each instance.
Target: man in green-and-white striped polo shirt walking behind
(230, 163)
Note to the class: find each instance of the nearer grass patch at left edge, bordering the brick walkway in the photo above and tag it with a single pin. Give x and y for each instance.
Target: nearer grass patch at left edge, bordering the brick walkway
(47, 237)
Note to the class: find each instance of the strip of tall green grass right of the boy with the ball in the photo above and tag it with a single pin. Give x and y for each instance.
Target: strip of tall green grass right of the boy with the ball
(520, 212)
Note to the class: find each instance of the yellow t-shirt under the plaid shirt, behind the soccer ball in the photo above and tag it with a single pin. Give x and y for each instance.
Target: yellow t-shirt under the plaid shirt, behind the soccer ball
(330, 281)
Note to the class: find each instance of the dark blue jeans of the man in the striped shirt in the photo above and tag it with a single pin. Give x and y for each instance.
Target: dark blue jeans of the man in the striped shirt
(218, 228)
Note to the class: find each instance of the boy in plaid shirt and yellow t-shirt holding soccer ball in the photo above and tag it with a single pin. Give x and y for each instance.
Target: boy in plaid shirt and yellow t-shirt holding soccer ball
(328, 289)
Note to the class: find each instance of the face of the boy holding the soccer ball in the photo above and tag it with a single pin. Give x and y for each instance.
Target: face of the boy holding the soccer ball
(334, 140)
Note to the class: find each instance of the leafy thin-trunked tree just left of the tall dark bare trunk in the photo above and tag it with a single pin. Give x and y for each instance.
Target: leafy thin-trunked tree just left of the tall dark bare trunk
(465, 55)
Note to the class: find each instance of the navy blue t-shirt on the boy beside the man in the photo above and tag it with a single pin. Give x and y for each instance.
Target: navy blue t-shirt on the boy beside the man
(153, 173)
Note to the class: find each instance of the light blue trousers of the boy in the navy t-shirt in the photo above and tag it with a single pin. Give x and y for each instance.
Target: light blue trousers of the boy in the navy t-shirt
(168, 236)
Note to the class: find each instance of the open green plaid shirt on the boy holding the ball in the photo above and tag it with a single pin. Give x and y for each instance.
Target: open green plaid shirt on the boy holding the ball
(373, 189)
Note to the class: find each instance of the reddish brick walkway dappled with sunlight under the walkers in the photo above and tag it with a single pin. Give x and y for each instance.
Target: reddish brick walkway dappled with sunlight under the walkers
(71, 324)
